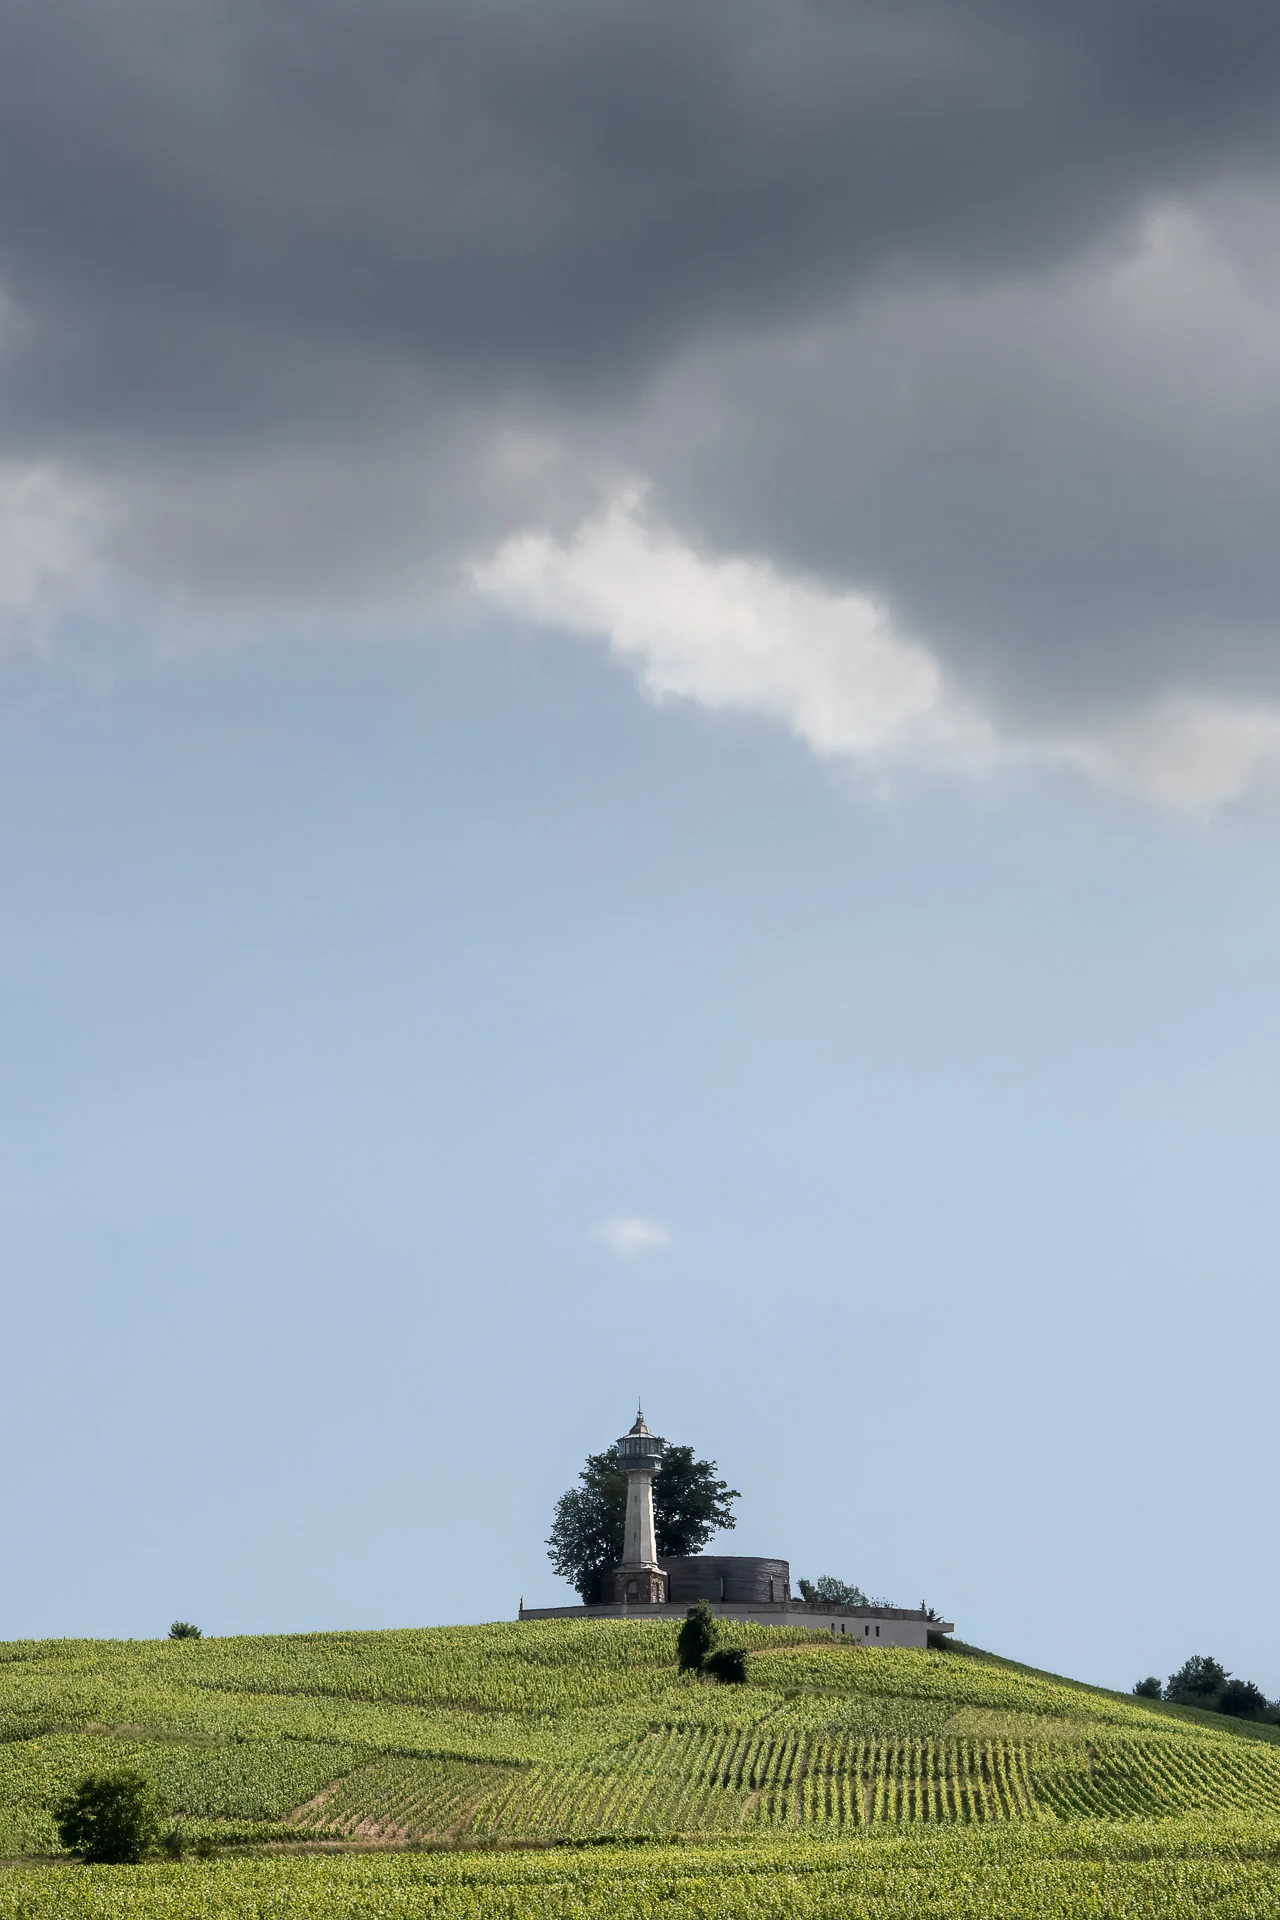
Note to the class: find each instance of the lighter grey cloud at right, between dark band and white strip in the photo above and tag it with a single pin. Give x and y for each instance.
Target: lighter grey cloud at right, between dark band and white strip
(1068, 483)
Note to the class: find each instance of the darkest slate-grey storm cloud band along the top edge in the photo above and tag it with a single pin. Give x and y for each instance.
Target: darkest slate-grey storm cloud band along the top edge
(552, 193)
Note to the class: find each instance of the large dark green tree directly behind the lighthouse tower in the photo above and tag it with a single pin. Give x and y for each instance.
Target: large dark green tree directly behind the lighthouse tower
(690, 1504)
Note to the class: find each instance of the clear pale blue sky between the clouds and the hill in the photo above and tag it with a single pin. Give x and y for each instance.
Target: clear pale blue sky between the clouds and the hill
(344, 1005)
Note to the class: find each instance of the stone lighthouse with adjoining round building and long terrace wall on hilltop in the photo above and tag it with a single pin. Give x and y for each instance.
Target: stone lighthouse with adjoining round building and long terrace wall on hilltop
(738, 1587)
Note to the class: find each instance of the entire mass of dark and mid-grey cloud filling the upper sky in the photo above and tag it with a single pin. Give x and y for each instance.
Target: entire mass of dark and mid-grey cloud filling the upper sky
(314, 289)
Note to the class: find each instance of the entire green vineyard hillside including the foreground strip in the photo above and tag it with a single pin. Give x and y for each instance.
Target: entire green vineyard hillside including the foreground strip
(567, 1767)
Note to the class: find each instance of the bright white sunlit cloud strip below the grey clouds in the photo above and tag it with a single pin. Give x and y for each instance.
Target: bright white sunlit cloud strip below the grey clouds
(736, 633)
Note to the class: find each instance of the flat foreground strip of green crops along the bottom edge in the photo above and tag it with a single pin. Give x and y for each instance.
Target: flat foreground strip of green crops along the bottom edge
(1181, 1869)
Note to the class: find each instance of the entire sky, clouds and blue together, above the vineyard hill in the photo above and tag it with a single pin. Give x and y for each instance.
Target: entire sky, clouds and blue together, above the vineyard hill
(640, 756)
